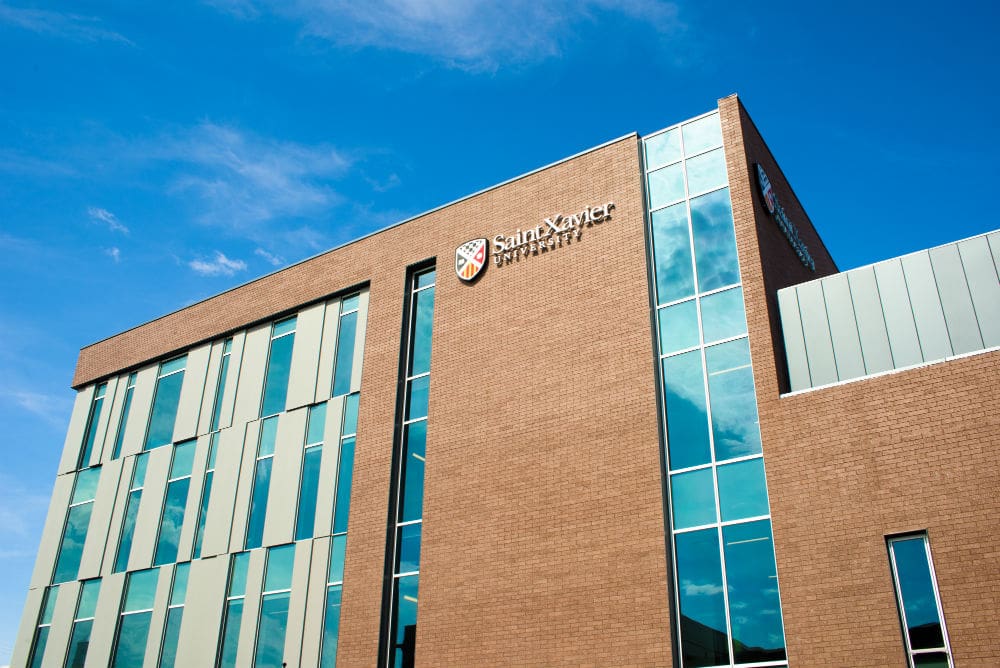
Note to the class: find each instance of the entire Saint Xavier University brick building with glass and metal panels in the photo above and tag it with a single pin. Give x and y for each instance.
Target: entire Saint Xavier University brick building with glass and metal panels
(623, 410)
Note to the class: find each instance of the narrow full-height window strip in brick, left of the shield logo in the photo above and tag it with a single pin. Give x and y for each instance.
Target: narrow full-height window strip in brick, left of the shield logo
(409, 458)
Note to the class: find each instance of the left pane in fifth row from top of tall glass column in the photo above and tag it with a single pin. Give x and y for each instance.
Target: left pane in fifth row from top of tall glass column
(687, 416)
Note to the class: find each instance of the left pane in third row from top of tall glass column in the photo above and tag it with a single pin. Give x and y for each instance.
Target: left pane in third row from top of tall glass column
(672, 254)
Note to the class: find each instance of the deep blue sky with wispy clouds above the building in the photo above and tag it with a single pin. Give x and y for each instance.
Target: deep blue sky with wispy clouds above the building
(153, 154)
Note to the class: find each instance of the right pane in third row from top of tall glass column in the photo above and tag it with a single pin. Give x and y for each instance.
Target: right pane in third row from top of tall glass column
(714, 240)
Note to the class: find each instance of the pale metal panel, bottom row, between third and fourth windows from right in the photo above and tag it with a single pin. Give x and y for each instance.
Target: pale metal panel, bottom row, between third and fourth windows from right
(203, 611)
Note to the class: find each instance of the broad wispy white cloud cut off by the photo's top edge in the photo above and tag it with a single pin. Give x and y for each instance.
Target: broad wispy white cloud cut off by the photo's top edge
(462, 34)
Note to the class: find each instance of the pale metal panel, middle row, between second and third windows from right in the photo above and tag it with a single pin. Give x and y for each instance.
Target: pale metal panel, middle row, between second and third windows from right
(282, 500)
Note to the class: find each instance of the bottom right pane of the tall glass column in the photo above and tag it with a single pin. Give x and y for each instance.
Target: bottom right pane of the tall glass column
(753, 586)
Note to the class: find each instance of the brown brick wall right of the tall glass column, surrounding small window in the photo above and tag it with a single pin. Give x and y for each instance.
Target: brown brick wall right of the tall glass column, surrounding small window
(850, 464)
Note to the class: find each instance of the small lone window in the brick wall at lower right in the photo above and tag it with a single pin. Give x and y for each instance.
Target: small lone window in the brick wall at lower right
(924, 633)
